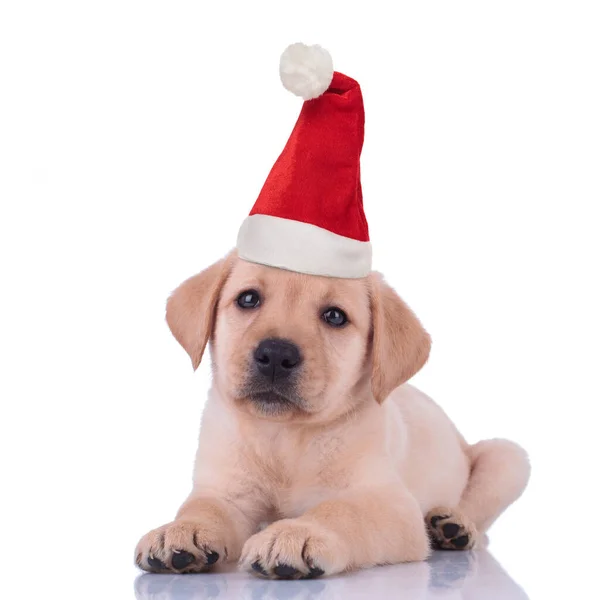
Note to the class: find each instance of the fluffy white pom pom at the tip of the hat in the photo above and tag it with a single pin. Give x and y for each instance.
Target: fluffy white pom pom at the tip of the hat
(306, 71)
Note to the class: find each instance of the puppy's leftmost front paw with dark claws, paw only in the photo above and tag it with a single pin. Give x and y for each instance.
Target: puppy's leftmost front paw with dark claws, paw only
(180, 547)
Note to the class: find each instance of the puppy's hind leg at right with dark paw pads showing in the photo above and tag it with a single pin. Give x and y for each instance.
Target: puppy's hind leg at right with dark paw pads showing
(499, 473)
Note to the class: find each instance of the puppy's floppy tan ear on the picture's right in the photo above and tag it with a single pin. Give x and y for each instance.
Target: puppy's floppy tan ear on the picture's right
(400, 345)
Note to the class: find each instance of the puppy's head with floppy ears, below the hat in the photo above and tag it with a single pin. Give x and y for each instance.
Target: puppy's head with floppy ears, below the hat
(292, 346)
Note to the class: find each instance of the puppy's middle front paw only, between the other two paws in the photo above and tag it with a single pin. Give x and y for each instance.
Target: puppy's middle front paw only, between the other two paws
(294, 549)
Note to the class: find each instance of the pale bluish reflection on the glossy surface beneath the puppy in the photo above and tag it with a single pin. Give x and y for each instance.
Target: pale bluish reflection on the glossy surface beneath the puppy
(467, 575)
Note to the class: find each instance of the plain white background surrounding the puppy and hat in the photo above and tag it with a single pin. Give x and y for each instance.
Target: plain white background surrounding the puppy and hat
(134, 138)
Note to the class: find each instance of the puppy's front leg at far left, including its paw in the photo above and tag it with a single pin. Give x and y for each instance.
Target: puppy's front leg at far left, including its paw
(207, 529)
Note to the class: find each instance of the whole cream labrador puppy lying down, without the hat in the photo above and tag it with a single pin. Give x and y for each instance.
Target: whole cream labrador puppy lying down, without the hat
(311, 427)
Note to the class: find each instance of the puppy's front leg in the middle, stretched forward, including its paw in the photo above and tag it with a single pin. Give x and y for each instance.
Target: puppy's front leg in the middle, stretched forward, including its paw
(356, 528)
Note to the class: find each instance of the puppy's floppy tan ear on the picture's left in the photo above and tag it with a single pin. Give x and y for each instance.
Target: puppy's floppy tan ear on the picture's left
(192, 308)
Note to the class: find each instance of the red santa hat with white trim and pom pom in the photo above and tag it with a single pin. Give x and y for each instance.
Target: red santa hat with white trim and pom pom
(309, 214)
